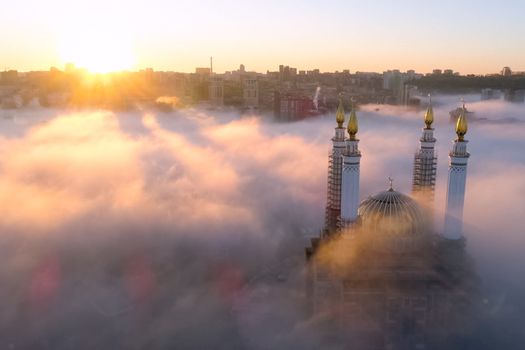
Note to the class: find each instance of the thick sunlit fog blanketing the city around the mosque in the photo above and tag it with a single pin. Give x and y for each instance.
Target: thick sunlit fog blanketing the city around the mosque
(187, 229)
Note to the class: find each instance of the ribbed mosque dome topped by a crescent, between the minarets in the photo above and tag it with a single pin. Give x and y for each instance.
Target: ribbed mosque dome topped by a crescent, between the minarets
(397, 221)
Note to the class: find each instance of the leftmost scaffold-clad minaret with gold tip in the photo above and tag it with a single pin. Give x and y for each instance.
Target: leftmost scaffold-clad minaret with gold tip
(335, 166)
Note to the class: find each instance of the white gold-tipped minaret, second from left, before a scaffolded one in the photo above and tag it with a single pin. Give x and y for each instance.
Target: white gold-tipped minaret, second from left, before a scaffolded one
(350, 185)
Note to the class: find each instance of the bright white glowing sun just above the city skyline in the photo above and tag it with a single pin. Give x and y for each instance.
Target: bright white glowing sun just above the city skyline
(98, 51)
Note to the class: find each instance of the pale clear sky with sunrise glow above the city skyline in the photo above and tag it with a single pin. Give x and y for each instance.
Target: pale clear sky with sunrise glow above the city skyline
(466, 36)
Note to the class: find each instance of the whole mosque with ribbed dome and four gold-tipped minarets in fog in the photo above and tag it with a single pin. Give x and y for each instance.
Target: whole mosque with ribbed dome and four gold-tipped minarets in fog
(378, 273)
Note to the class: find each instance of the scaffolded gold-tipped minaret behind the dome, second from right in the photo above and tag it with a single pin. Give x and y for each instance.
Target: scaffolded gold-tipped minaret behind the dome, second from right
(425, 161)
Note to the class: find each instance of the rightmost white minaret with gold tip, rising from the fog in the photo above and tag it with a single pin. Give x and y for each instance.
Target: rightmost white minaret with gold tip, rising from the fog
(457, 176)
